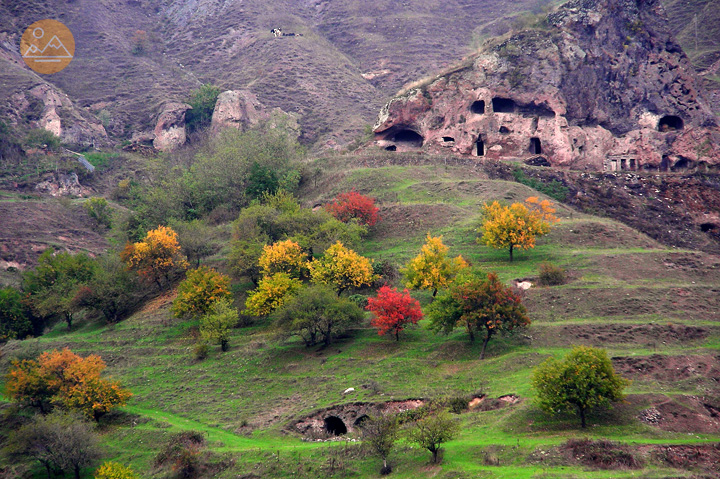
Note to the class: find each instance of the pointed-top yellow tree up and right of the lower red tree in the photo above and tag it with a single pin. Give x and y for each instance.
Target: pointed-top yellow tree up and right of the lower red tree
(432, 269)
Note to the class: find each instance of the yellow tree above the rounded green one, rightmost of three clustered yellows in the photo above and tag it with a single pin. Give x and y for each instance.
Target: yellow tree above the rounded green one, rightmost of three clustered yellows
(341, 268)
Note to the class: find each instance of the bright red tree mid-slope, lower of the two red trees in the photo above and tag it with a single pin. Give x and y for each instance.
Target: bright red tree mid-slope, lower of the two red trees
(393, 310)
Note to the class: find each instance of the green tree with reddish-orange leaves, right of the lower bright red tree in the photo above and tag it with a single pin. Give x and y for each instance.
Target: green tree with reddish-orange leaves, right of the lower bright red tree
(481, 305)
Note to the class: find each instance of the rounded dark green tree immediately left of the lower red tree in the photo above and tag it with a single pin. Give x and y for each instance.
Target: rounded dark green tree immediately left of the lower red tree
(316, 314)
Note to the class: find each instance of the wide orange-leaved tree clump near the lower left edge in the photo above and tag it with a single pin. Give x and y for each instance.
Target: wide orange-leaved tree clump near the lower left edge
(62, 378)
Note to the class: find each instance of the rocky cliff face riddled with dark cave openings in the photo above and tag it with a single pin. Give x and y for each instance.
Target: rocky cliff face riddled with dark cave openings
(597, 85)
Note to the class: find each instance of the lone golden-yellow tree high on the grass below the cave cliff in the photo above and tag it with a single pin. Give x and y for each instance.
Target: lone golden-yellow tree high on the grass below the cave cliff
(517, 225)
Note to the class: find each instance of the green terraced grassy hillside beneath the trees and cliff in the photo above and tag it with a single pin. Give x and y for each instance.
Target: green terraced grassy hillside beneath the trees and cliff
(653, 307)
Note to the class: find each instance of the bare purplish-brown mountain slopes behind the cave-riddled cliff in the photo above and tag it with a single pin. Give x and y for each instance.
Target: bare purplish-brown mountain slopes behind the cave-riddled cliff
(352, 56)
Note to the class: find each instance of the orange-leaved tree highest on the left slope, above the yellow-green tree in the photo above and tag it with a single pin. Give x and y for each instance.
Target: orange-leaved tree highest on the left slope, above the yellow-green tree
(156, 256)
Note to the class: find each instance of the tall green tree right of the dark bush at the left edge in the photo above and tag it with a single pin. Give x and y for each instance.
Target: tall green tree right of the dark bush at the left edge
(55, 283)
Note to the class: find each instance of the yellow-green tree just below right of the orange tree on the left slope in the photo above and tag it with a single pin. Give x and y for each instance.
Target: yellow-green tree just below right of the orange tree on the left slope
(200, 289)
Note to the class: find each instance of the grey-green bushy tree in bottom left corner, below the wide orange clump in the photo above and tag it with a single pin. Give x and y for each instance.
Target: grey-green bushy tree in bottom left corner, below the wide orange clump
(61, 442)
